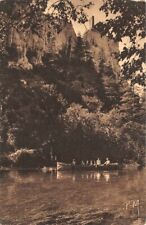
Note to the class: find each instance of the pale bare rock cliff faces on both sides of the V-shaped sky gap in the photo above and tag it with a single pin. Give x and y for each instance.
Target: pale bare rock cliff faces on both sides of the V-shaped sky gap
(27, 47)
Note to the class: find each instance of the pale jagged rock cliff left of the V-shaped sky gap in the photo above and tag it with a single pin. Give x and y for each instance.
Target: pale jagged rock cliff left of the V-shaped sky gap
(30, 47)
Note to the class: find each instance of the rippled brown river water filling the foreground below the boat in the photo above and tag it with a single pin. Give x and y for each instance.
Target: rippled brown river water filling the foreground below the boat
(70, 198)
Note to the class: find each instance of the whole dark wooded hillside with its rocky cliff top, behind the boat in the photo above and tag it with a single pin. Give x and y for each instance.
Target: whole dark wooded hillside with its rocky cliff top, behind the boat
(62, 95)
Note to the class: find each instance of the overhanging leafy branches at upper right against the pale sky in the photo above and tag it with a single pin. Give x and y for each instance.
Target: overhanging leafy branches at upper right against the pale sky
(129, 21)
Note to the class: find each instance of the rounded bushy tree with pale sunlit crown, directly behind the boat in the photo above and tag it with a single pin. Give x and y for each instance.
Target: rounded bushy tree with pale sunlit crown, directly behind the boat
(84, 137)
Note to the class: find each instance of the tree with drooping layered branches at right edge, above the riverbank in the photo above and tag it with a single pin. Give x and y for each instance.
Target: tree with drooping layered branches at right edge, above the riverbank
(129, 125)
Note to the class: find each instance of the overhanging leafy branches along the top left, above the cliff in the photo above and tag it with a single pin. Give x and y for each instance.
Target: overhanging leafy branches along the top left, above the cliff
(29, 13)
